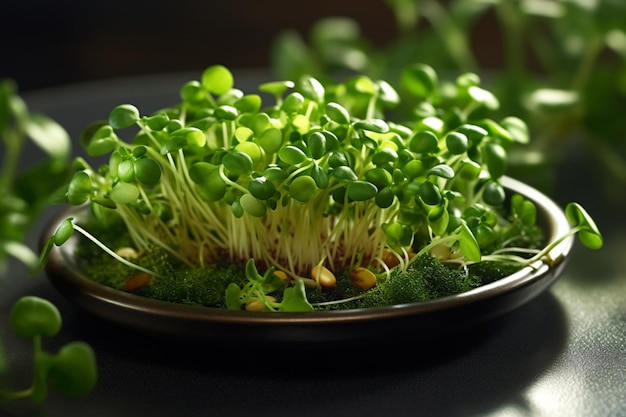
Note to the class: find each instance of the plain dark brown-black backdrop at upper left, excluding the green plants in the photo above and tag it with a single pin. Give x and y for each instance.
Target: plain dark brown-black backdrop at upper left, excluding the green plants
(47, 43)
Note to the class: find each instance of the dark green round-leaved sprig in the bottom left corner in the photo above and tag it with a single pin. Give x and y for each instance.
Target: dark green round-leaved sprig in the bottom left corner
(71, 371)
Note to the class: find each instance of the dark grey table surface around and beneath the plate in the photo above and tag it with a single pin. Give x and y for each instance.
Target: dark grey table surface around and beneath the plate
(562, 354)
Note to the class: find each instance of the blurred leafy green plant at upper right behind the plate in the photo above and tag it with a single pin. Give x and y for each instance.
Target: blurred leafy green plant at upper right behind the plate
(562, 65)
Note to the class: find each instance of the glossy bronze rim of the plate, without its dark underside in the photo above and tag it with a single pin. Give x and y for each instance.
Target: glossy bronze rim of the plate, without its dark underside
(64, 274)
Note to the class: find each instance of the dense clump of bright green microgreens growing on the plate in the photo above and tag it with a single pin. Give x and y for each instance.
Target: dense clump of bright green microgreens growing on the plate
(317, 181)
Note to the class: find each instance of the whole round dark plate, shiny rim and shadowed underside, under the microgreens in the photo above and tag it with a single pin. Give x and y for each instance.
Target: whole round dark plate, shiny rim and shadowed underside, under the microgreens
(400, 322)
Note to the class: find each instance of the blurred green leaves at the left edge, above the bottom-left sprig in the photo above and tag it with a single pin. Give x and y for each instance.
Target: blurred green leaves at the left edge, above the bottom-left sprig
(24, 192)
